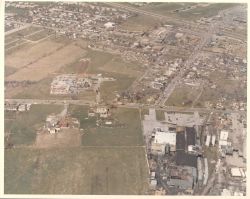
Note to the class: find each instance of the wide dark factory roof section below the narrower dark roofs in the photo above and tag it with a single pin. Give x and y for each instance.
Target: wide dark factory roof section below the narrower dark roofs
(185, 159)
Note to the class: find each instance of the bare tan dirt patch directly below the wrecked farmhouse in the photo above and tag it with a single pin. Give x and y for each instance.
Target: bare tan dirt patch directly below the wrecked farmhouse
(65, 138)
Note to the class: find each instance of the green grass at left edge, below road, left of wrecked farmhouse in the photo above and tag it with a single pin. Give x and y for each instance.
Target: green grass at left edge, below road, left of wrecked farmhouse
(24, 125)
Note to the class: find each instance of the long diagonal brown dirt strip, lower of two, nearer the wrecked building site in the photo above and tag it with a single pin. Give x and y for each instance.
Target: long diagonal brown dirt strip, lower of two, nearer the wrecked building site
(48, 65)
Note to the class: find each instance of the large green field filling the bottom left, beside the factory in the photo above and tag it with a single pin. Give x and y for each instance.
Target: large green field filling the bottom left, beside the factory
(76, 171)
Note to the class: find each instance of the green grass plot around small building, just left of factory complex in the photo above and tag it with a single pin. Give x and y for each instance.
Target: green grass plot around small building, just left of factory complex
(128, 134)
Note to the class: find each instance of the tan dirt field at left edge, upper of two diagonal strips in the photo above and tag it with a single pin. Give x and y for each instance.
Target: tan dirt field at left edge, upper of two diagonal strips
(30, 54)
